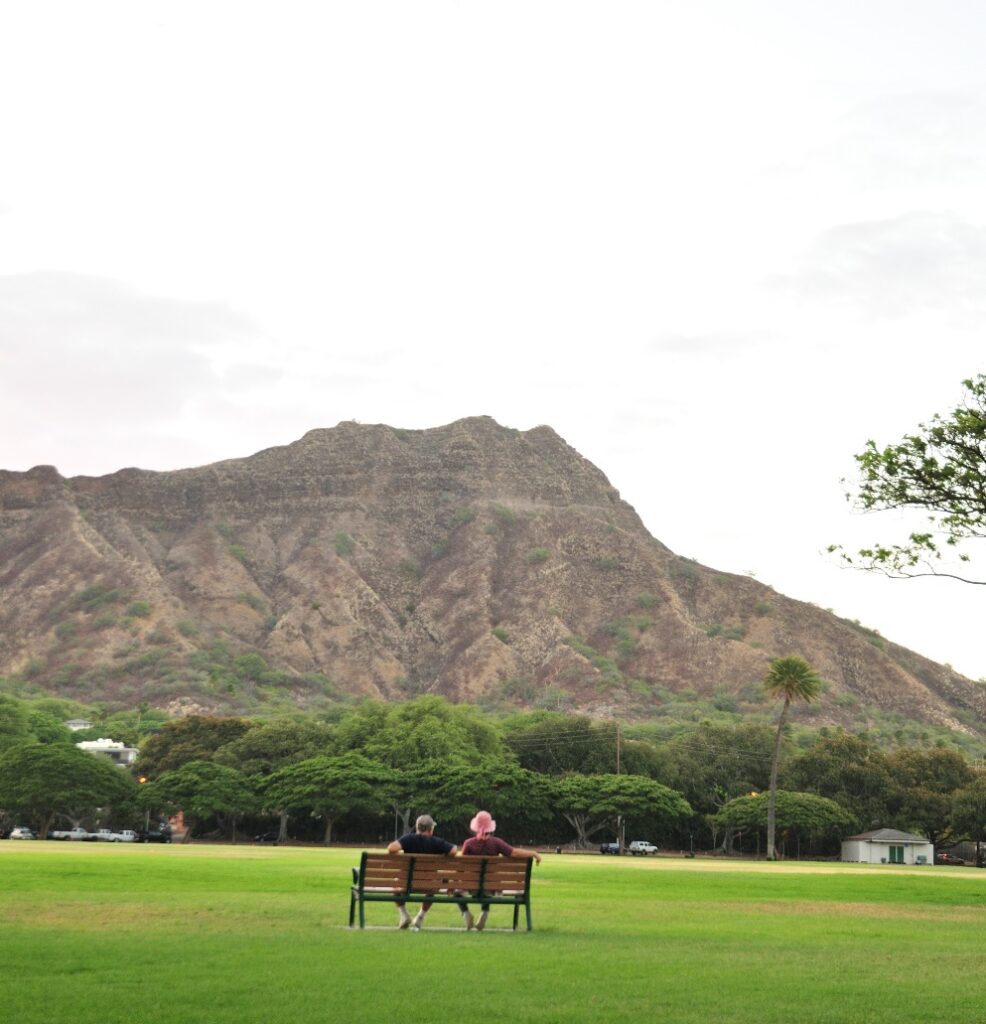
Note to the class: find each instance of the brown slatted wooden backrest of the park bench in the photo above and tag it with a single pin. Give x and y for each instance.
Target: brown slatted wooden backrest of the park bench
(417, 873)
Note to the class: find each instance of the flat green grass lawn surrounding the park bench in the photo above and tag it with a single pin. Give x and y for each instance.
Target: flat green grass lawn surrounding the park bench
(193, 934)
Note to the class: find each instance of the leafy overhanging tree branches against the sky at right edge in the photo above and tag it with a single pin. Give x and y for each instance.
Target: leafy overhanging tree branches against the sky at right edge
(941, 471)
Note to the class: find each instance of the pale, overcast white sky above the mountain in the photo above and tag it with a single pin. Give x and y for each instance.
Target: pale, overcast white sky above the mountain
(716, 246)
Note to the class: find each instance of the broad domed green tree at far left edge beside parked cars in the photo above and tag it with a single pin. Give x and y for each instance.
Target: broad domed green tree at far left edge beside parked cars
(42, 781)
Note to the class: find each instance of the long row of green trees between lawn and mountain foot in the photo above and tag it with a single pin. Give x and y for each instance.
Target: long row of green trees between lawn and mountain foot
(549, 778)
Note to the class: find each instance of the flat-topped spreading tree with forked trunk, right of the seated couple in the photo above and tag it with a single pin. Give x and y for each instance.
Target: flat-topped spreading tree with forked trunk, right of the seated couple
(592, 802)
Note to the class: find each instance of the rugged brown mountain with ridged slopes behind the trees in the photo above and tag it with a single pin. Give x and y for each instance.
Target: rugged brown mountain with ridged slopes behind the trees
(471, 561)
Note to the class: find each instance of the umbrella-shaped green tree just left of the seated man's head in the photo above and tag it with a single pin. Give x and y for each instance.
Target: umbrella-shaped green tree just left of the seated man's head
(330, 788)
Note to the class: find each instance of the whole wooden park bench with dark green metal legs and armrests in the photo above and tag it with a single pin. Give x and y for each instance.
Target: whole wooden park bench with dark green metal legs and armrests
(416, 878)
